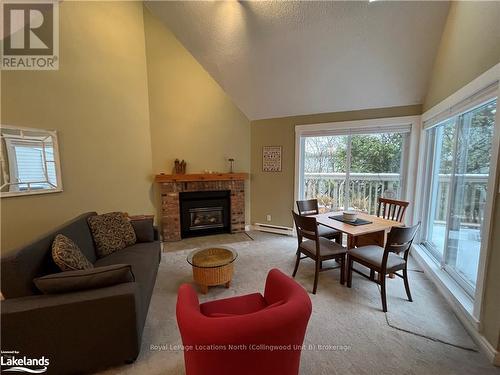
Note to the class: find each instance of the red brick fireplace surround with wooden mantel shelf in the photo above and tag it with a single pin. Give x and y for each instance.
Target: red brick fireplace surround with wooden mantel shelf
(172, 185)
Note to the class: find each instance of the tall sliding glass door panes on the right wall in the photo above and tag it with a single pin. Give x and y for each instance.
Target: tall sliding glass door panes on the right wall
(458, 168)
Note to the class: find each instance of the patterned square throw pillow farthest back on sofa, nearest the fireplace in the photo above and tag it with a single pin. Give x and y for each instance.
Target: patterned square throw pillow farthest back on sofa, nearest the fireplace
(111, 232)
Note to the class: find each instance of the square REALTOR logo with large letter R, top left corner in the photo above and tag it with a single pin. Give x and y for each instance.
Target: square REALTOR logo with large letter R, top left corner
(30, 35)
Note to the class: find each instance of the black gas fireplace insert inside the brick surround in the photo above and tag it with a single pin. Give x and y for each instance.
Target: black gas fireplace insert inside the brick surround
(204, 212)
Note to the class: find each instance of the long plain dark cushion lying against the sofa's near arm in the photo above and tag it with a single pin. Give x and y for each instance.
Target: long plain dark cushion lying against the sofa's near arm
(72, 281)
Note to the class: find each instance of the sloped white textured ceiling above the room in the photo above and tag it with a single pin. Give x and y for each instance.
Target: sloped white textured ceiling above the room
(279, 59)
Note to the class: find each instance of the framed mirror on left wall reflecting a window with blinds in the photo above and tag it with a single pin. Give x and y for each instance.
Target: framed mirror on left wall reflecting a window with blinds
(29, 161)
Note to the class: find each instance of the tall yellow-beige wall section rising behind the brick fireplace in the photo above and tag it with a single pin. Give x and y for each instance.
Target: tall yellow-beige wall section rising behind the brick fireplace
(191, 117)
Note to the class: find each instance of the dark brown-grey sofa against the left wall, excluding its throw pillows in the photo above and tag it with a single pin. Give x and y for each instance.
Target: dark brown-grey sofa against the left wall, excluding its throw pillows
(78, 331)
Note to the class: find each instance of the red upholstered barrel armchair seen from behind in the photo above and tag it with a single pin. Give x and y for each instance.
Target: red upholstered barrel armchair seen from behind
(251, 334)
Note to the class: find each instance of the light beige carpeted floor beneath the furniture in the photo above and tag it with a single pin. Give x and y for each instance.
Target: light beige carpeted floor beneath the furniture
(367, 341)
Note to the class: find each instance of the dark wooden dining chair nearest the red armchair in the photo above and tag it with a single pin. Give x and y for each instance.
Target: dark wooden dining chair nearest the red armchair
(319, 249)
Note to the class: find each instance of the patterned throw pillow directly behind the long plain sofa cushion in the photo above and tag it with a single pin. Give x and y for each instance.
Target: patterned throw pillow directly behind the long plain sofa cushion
(68, 256)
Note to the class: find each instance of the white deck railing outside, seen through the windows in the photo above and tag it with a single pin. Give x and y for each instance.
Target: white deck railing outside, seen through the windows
(365, 188)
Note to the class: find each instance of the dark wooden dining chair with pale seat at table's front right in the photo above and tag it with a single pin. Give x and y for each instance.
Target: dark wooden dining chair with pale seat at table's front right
(385, 260)
